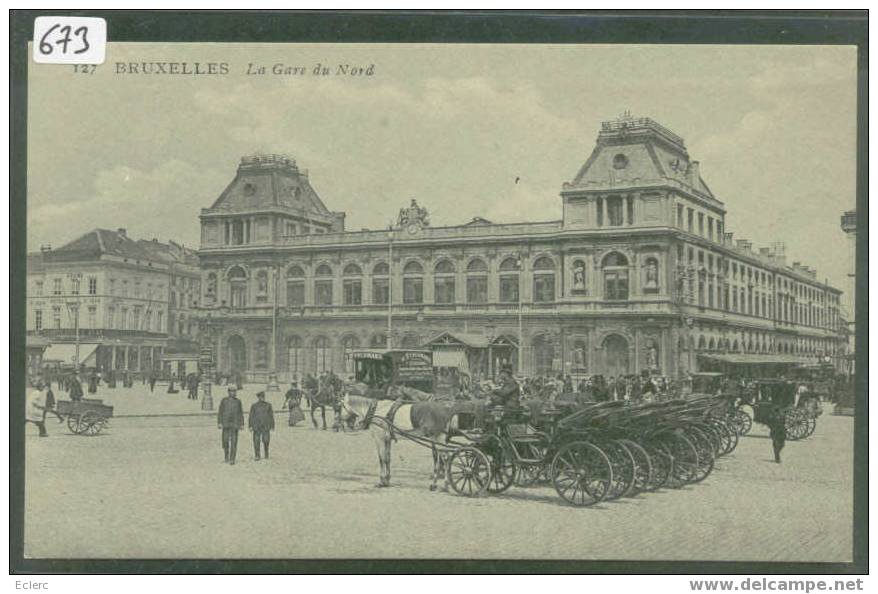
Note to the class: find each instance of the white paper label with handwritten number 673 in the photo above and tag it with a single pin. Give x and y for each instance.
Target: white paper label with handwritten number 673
(70, 40)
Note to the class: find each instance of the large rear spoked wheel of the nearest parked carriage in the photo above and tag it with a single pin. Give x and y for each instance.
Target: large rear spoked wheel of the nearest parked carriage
(582, 473)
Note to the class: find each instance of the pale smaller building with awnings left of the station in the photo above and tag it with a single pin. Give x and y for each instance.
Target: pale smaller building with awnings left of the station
(107, 301)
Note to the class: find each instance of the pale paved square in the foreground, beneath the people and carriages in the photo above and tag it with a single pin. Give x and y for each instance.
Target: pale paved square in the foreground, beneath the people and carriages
(157, 487)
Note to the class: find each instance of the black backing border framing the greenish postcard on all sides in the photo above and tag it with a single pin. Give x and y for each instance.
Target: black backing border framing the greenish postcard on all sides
(647, 27)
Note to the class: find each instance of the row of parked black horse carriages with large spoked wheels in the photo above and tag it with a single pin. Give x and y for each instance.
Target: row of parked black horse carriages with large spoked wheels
(600, 452)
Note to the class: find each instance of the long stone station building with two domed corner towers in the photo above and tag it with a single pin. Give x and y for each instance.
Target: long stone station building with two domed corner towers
(640, 274)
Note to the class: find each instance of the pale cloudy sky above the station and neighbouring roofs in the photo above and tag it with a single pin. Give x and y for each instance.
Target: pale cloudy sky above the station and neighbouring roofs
(453, 126)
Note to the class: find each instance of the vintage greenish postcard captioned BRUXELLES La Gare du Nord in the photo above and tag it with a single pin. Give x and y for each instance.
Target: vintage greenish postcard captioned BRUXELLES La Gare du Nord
(441, 301)
